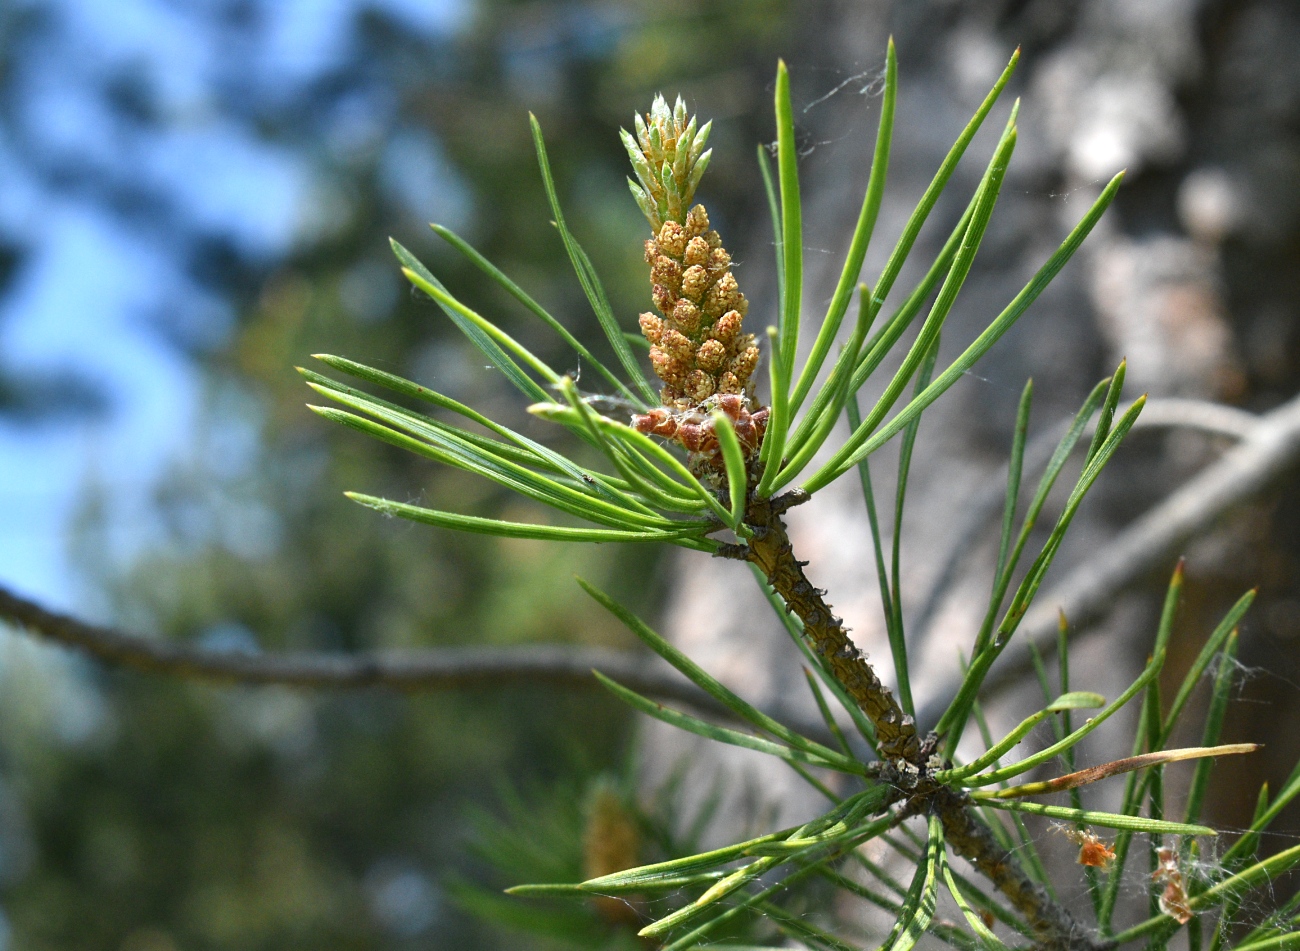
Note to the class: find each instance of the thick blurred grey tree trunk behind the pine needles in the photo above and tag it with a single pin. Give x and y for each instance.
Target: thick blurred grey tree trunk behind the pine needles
(1194, 276)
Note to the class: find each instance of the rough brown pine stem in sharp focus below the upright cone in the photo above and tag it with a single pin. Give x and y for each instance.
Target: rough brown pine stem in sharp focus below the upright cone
(898, 741)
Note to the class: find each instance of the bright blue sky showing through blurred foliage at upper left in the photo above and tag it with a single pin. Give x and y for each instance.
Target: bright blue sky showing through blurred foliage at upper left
(92, 285)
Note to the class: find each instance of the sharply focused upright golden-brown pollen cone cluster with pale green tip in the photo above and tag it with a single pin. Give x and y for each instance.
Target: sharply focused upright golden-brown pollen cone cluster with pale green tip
(697, 344)
